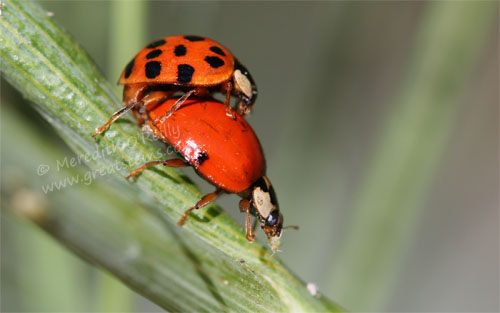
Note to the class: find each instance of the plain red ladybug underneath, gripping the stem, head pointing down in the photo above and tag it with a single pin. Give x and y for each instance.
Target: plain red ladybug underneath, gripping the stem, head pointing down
(224, 151)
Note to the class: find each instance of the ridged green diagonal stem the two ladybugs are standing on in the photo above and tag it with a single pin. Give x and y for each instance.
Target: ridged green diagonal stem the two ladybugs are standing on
(46, 66)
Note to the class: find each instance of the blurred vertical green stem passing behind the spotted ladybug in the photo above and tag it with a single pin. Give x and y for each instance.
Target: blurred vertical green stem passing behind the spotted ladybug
(127, 32)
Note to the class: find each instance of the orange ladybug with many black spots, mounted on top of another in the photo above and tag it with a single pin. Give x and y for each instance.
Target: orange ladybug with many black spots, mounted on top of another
(191, 64)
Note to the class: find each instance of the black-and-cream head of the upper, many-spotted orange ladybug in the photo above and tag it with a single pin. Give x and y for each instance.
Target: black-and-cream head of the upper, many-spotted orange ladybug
(245, 87)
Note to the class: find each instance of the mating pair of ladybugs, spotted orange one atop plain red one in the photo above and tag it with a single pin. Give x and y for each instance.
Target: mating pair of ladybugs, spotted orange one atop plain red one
(213, 138)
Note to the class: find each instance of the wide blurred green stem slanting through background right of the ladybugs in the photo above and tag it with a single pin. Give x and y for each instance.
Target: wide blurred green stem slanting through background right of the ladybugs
(450, 40)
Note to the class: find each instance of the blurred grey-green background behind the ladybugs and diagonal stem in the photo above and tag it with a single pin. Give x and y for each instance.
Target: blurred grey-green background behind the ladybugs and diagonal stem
(379, 121)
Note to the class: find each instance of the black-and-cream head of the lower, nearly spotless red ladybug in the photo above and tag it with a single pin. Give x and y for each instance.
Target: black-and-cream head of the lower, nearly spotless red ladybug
(265, 206)
